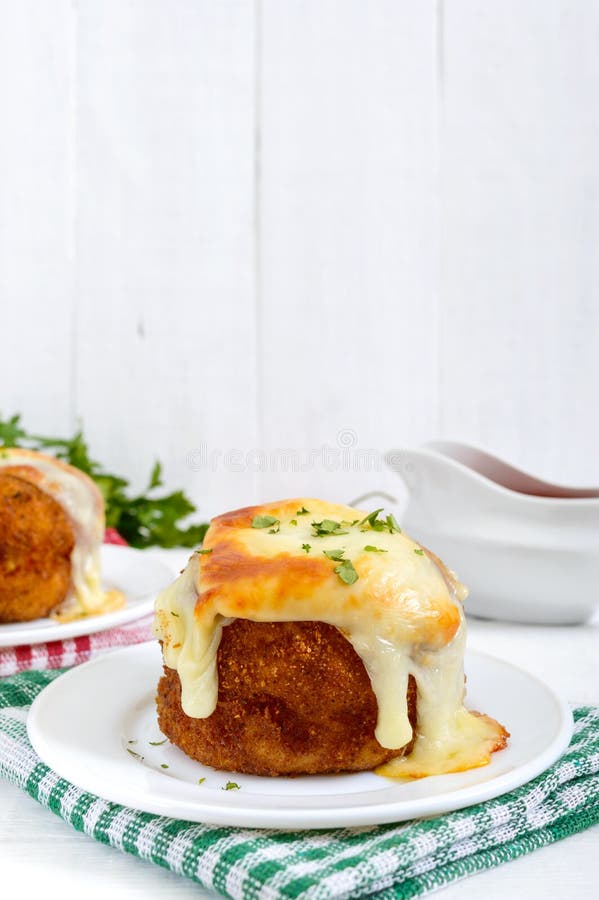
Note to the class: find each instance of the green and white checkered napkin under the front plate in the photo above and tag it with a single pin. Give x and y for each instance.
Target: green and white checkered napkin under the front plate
(406, 860)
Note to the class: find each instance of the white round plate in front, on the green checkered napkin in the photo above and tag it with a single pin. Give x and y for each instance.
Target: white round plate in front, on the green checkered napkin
(96, 726)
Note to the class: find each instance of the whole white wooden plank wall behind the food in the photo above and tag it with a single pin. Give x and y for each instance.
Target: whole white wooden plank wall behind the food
(251, 227)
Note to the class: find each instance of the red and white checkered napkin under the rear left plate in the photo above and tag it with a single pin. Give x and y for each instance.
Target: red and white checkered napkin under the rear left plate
(56, 654)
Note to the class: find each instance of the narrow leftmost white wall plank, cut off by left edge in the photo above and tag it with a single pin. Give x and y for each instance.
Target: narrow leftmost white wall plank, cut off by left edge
(36, 214)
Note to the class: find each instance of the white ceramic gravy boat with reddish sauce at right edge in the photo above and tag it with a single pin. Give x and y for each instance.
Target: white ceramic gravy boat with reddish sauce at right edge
(528, 550)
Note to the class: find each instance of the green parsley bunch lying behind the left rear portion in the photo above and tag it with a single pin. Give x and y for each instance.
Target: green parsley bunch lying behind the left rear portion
(145, 520)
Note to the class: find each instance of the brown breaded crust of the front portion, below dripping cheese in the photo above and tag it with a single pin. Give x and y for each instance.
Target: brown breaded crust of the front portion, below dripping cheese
(294, 698)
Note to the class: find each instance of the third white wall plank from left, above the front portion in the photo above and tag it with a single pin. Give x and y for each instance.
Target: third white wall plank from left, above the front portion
(347, 235)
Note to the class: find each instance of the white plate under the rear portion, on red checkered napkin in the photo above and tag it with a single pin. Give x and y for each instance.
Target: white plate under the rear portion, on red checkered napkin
(138, 574)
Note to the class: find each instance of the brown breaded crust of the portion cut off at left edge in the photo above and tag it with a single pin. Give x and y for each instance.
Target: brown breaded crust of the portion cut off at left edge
(36, 540)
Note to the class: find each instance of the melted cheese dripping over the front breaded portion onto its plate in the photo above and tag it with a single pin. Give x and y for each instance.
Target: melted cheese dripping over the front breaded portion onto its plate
(403, 616)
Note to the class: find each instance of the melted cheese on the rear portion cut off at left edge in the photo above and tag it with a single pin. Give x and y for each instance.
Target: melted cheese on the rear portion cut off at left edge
(82, 501)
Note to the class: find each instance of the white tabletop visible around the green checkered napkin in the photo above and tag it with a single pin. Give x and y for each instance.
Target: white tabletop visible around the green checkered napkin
(37, 849)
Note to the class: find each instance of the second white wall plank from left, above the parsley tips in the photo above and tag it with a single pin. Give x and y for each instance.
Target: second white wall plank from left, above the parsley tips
(165, 196)
